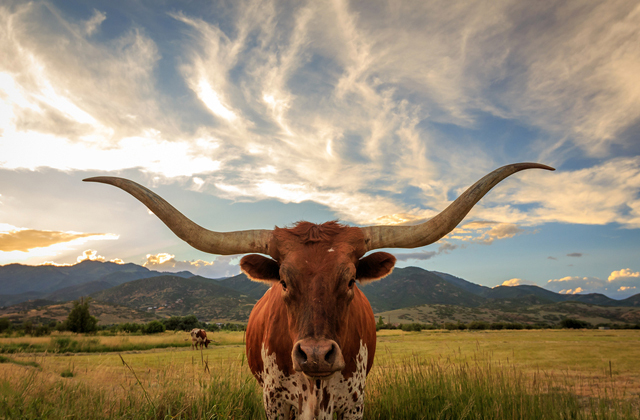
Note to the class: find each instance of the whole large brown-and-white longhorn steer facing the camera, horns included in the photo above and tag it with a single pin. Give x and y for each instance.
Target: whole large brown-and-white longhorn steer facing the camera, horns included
(311, 339)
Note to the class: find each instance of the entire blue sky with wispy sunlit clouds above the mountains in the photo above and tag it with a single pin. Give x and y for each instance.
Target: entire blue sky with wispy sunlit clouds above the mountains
(255, 114)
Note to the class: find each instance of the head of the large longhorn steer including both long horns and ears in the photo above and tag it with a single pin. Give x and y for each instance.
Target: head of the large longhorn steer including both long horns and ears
(315, 267)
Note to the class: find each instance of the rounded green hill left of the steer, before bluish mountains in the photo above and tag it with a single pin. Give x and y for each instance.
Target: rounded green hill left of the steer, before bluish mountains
(169, 295)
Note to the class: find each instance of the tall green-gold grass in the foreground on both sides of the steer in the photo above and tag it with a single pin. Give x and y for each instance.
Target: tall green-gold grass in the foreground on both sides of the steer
(410, 389)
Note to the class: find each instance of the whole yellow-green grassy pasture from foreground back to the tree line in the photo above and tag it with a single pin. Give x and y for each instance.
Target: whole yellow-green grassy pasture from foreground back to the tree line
(537, 374)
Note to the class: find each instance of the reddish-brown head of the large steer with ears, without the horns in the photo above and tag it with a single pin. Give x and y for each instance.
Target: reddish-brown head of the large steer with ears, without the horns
(315, 269)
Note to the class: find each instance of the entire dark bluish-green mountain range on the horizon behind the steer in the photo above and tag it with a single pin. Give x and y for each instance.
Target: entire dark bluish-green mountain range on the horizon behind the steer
(231, 299)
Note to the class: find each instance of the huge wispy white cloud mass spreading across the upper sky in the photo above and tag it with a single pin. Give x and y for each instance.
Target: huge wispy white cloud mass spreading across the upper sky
(336, 103)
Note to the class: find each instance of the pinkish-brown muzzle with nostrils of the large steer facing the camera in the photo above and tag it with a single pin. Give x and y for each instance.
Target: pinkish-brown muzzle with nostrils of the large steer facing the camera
(317, 358)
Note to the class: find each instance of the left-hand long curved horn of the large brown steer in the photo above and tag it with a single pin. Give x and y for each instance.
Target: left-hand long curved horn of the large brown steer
(222, 243)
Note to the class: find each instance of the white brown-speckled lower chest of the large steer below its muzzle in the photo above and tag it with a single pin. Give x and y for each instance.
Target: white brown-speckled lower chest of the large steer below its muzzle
(284, 395)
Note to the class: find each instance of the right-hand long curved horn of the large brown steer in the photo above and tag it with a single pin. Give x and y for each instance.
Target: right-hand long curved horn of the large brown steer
(432, 230)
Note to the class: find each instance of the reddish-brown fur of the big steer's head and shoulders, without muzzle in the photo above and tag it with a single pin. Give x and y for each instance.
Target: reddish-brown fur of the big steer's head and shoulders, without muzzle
(316, 263)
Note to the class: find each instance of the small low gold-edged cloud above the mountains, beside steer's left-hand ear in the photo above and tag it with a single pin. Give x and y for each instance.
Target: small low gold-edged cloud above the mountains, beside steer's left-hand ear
(222, 266)
